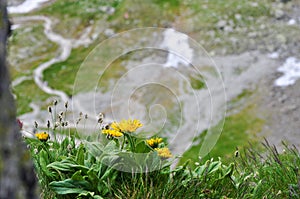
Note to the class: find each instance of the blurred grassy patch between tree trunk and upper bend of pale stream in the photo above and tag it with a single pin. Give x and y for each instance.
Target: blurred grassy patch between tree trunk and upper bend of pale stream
(28, 48)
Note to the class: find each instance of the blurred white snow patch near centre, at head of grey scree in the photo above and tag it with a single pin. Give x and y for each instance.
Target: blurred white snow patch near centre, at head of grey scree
(178, 47)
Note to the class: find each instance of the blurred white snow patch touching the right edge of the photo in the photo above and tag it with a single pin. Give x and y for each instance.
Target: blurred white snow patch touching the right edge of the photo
(291, 72)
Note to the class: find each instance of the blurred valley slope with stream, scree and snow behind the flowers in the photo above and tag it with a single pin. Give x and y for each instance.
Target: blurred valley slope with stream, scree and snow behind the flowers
(234, 68)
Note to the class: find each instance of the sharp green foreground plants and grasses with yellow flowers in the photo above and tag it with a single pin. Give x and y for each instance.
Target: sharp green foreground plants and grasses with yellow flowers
(118, 164)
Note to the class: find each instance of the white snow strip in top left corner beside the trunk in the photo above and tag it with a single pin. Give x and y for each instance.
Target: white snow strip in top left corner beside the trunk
(25, 7)
